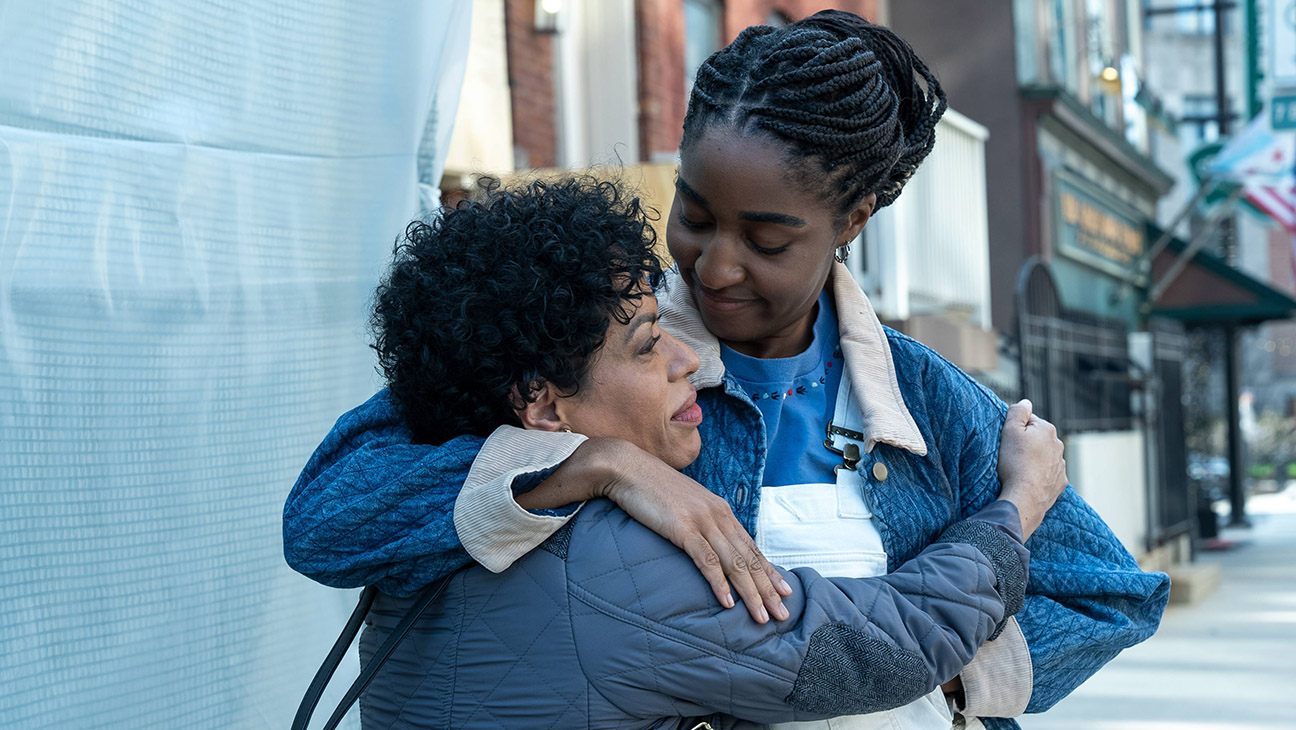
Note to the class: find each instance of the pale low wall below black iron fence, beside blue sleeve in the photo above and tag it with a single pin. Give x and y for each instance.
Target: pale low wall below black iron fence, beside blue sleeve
(1107, 469)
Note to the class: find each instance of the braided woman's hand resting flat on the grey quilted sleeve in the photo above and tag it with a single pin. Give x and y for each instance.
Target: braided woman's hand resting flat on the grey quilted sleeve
(695, 521)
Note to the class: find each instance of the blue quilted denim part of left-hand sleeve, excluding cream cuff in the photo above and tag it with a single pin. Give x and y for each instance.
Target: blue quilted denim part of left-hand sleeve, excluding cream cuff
(373, 508)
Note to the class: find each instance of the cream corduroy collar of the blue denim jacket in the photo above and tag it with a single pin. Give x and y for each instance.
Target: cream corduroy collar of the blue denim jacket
(864, 347)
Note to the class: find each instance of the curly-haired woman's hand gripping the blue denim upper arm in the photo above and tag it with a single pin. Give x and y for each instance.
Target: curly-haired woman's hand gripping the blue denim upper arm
(1032, 469)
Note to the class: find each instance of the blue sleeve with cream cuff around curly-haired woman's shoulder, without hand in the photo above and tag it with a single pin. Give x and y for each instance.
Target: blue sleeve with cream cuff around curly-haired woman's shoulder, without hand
(373, 508)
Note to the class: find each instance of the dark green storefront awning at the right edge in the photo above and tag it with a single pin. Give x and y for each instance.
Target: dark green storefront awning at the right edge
(1211, 292)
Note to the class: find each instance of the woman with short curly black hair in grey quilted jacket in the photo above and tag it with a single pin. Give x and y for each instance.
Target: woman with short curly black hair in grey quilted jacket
(533, 311)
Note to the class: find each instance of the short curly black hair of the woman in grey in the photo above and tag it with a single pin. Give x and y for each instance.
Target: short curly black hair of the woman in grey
(497, 298)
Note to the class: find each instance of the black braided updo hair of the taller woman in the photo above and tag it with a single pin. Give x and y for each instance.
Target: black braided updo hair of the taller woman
(838, 90)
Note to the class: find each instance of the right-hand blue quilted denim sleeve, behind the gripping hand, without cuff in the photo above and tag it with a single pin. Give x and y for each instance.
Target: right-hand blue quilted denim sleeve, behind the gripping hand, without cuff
(1088, 598)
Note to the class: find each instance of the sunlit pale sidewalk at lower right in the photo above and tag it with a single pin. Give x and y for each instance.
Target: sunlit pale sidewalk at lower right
(1228, 663)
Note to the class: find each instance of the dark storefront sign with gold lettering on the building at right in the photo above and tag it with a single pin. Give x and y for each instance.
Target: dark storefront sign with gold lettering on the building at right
(1096, 228)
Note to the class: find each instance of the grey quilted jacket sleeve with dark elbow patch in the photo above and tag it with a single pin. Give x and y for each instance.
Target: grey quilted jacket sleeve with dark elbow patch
(655, 644)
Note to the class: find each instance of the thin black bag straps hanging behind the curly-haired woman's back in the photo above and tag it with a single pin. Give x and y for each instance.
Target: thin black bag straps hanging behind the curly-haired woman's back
(344, 642)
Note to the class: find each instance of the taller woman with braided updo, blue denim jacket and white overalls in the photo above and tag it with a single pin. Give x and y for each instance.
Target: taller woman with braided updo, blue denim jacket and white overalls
(794, 138)
